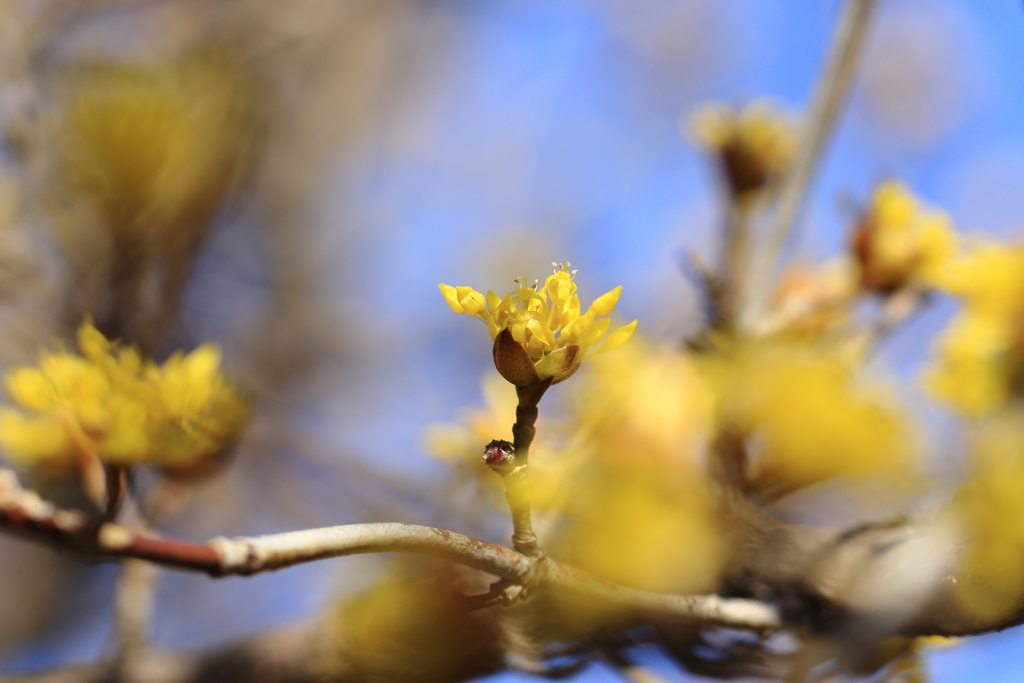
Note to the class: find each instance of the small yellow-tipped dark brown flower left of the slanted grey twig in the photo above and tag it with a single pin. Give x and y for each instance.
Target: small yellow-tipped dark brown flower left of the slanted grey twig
(753, 146)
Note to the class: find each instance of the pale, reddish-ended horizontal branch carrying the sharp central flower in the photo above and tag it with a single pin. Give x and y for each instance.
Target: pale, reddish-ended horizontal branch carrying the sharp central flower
(25, 514)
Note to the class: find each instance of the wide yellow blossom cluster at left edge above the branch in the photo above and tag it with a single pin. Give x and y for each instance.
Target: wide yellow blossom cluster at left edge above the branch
(112, 405)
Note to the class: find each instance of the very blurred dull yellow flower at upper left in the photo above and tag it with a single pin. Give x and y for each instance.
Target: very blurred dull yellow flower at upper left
(154, 149)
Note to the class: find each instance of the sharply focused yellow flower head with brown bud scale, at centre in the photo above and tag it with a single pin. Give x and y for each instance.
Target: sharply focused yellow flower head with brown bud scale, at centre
(540, 334)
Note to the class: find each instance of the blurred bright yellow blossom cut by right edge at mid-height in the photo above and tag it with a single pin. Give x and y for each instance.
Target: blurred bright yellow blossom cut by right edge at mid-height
(979, 365)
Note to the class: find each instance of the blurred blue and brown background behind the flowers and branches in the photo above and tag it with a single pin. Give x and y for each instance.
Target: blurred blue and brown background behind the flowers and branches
(391, 146)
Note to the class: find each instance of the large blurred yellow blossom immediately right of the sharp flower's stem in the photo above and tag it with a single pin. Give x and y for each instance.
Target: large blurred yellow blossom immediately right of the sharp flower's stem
(638, 509)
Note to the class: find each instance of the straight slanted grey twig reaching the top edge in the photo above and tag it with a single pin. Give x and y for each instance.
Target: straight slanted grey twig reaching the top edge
(830, 96)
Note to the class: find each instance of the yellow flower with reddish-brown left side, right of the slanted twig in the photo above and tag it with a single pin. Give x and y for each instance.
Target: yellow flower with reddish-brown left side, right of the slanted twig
(899, 241)
